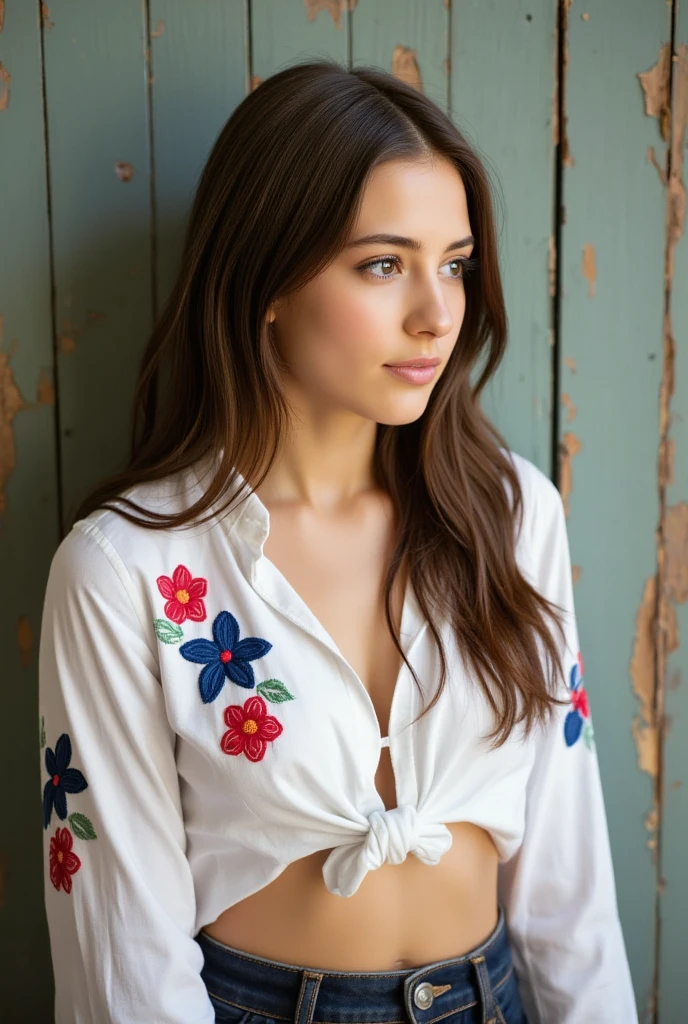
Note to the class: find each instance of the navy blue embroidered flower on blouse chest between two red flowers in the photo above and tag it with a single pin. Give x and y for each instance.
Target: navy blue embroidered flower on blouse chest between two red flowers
(225, 657)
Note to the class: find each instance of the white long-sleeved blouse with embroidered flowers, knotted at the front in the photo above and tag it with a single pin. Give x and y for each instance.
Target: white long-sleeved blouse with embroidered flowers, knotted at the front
(201, 731)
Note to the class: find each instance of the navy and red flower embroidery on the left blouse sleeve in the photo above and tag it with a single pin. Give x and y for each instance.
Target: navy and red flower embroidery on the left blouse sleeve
(64, 862)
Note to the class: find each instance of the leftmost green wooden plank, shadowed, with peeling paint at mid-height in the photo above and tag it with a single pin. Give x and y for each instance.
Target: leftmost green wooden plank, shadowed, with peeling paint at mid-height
(29, 510)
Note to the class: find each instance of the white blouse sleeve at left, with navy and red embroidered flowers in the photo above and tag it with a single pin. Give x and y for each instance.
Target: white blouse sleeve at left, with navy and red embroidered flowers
(119, 893)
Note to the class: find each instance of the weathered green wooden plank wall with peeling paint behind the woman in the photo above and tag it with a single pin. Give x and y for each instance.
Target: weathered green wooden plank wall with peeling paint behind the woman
(579, 108)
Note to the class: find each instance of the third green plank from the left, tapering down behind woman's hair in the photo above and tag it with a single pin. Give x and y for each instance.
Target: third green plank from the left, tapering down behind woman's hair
(200, 75)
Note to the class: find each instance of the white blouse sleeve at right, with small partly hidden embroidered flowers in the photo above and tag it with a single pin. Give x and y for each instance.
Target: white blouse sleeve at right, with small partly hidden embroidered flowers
(558, 890)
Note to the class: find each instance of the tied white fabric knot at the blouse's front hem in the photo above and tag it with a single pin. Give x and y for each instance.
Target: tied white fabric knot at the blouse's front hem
(393, 835)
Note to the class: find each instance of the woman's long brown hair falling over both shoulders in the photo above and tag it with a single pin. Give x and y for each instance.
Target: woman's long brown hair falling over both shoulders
(277, 201)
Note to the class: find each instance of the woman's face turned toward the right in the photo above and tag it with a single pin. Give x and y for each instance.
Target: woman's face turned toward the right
(382, 302)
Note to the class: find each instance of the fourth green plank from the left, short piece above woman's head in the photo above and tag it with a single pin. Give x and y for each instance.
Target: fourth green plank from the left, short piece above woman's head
(284, 32)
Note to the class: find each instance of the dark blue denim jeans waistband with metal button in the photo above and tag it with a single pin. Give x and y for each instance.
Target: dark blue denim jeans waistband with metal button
(477, 989)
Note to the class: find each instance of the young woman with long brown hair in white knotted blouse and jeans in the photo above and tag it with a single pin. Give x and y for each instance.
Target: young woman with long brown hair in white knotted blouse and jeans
(318, 746)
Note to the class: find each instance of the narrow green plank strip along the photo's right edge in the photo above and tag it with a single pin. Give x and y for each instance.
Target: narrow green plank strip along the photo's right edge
(674, 902)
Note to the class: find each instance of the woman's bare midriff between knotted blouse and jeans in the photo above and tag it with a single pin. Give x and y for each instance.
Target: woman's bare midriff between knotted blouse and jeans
(403, 916)
